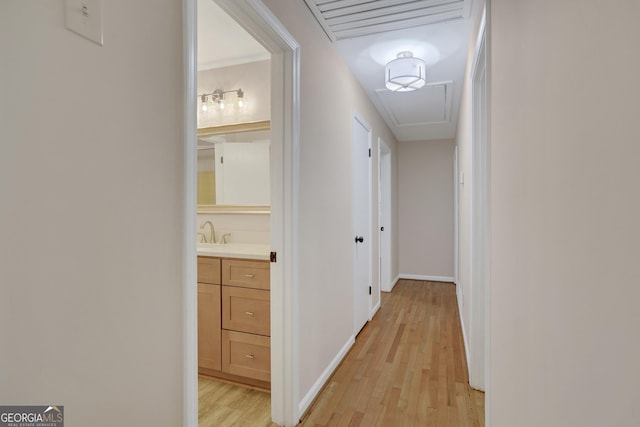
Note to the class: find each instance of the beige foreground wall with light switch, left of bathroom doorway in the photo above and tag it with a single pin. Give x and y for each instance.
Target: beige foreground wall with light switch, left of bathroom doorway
(91, 222)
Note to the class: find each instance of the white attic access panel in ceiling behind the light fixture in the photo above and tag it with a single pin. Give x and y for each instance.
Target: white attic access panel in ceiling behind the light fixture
(428, 105)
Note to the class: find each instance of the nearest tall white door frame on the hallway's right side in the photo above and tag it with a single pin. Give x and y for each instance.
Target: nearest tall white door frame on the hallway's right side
(480, 217)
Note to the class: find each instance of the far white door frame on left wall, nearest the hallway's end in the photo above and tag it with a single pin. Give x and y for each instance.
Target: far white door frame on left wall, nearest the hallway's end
(384, 214)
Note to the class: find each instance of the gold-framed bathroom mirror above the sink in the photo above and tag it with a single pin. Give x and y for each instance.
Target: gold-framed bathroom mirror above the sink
(234, 168)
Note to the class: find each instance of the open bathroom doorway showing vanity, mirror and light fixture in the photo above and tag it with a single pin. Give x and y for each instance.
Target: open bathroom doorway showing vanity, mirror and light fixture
(234, 197)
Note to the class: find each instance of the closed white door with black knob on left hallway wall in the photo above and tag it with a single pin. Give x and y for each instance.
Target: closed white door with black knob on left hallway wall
(361, 238)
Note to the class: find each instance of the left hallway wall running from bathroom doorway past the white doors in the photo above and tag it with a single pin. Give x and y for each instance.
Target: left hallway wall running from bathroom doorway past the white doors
(329, 95)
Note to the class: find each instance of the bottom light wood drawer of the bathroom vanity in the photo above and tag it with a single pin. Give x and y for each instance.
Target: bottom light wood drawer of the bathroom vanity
(246, 355)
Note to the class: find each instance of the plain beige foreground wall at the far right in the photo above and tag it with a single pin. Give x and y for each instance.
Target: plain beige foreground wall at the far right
(565, 100)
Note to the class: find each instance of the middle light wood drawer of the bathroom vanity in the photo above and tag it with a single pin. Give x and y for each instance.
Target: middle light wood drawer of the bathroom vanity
(246, 310)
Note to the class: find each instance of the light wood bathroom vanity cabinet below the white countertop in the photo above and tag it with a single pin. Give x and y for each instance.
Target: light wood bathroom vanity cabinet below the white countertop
(234, 320)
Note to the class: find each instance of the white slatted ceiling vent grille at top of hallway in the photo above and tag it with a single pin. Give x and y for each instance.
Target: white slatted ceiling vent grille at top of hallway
(344, 19)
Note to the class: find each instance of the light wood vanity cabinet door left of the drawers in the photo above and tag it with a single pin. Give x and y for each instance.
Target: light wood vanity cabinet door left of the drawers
(209, 319)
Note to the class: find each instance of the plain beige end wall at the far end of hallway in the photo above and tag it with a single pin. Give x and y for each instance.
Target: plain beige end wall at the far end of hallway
(425, 208)
